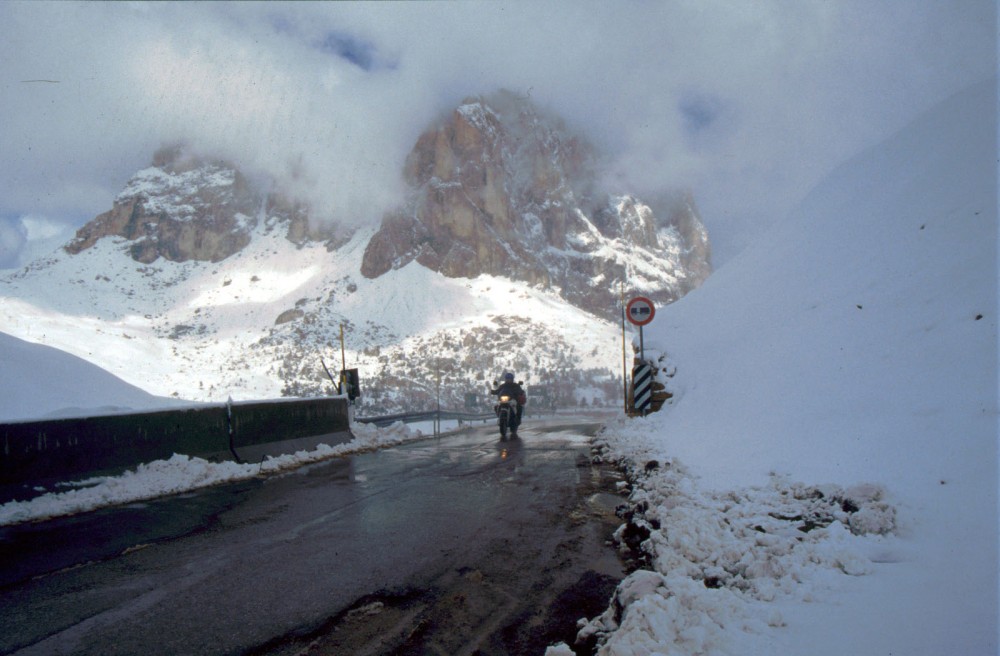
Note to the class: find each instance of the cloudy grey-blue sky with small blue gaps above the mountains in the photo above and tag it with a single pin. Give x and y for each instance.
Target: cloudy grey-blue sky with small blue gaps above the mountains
(746, 103)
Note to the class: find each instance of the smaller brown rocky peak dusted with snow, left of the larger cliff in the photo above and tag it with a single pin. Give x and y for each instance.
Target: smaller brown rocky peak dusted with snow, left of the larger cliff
(187, 208)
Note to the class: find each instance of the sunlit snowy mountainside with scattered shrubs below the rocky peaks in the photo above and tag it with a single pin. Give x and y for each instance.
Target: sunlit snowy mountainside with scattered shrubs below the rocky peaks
(256, 324)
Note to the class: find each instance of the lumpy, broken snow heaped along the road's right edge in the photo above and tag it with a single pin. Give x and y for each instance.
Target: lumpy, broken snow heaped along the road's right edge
(720, 566)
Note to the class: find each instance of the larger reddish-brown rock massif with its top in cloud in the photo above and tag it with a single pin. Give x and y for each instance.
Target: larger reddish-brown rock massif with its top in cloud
(499, 188)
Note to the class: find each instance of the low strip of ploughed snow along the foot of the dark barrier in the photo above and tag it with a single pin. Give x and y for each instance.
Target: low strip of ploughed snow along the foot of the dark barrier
(182, 473)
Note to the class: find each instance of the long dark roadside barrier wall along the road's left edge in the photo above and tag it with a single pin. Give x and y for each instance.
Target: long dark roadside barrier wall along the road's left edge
(35, 454)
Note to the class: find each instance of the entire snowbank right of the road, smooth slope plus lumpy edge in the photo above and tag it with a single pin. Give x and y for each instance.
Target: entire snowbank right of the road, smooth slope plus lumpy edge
(853, 345)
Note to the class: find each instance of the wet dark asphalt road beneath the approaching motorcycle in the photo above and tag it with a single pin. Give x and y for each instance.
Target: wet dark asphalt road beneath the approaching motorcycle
(459, 544)
